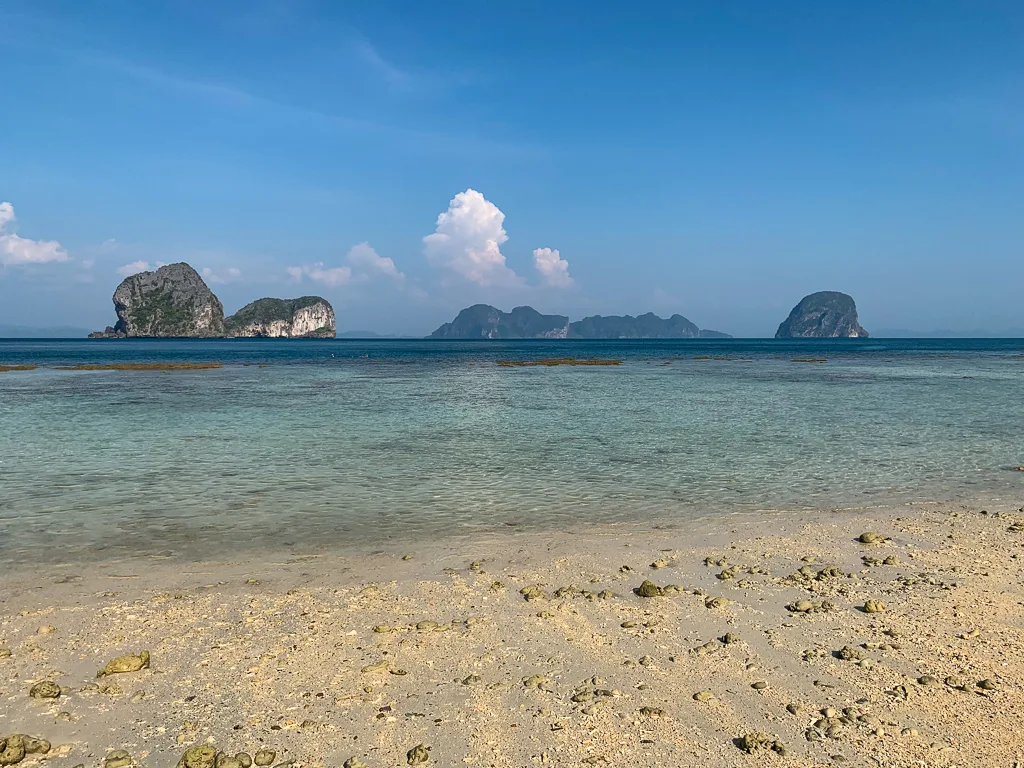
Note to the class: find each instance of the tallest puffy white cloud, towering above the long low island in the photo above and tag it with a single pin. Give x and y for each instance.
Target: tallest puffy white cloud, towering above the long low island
(467, 241)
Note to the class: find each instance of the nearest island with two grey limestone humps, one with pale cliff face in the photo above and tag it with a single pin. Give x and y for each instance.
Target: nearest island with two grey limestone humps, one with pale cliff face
(176, 303)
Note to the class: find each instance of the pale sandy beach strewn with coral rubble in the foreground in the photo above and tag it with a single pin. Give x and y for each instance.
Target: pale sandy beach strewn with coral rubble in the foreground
(287, 663)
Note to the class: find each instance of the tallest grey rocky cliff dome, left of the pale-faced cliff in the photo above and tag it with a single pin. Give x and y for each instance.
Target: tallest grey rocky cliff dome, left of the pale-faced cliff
(170, 303)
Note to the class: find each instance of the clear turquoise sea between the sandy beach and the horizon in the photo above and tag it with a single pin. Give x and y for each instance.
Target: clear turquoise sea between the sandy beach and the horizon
(372, 445)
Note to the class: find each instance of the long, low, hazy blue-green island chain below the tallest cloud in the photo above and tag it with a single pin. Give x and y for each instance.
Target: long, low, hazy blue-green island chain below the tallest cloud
(486, 322)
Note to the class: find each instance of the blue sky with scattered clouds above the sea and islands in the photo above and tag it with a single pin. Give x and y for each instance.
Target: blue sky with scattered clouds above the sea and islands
(405, 160)
